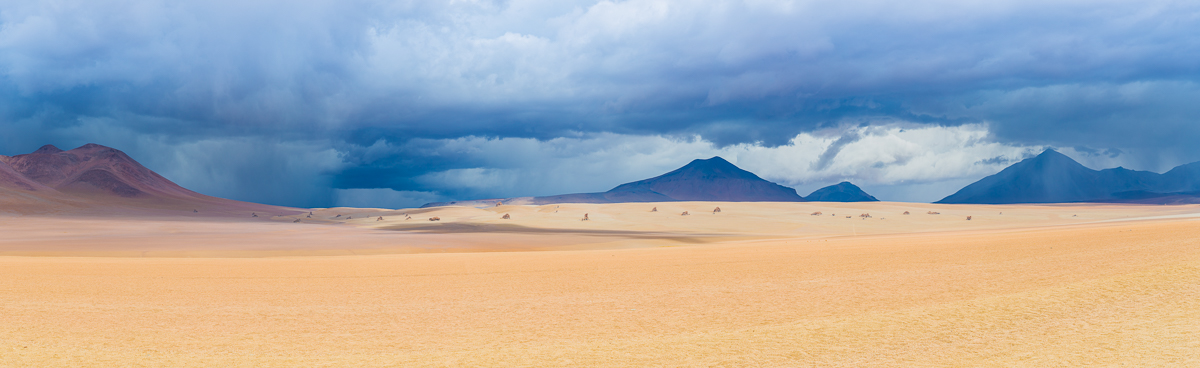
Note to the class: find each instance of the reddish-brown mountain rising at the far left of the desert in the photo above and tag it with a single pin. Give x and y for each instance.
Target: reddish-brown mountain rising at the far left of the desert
(95, 177)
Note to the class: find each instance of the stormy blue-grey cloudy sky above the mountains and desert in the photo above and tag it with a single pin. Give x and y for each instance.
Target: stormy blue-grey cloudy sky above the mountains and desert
(398, 104)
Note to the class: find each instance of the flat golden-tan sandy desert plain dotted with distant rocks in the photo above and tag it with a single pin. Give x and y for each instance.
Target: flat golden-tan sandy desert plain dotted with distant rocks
(754, 286)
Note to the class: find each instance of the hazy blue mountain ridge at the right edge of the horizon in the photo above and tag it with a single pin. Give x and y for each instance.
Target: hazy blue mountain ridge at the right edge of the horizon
(1055, 178)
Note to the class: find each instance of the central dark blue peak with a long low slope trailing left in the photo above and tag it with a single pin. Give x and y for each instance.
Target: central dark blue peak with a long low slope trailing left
(709, 180)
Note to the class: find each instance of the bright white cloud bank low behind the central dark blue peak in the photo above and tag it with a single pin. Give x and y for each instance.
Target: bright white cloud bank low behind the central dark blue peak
(895, 154)
